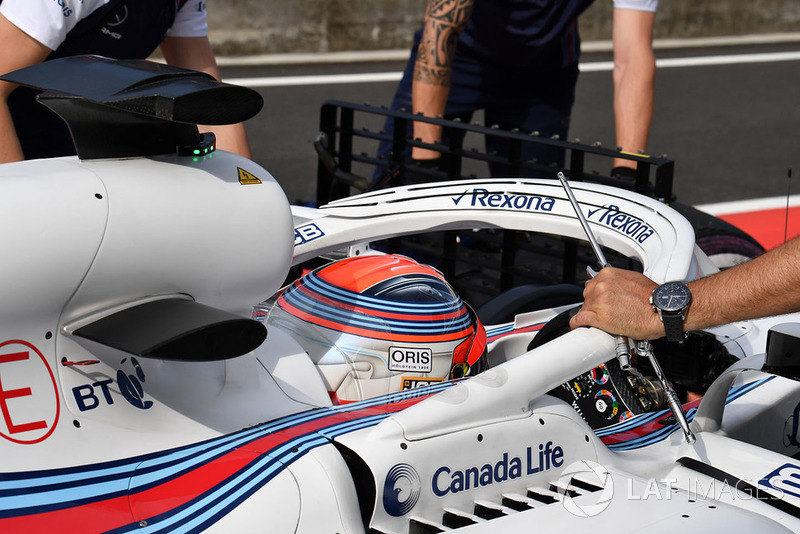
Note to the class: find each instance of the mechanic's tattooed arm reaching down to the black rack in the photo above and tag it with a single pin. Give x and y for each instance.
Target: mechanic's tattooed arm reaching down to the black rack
(444, 21)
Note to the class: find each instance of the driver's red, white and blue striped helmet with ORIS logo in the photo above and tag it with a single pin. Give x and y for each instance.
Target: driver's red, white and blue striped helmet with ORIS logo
(375, 325)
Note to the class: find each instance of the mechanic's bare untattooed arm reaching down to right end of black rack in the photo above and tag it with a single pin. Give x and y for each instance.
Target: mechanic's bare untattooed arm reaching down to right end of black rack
(634, 79)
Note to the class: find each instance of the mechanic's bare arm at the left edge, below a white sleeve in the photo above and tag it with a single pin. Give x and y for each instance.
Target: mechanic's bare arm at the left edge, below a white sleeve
(20, 50)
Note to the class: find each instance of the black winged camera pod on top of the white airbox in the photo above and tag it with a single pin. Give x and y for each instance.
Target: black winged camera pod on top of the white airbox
(125, 108)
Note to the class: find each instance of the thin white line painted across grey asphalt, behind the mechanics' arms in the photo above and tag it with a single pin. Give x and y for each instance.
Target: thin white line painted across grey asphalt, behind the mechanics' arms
(598, 66)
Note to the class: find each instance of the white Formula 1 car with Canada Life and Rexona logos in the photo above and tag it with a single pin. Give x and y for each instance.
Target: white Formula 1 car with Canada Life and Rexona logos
(140, 391)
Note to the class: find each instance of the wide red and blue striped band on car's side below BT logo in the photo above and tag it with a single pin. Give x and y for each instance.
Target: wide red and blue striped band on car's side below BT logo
(222, 473)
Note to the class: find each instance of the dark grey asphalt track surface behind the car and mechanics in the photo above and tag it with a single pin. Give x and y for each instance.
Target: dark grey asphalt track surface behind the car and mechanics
(728, 115)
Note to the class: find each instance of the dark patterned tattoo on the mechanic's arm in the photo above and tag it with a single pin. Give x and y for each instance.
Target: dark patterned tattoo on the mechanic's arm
(444, 21)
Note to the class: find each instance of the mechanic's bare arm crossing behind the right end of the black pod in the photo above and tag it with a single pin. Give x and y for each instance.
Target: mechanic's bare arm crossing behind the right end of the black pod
(195, 53)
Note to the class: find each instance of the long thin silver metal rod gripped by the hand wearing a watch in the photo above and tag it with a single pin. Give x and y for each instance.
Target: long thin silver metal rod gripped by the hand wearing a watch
(643, 348)
